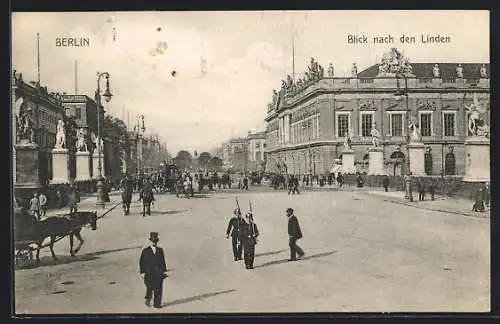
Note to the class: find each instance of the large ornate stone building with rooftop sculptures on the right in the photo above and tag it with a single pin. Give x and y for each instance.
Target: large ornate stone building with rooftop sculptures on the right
(308, 121)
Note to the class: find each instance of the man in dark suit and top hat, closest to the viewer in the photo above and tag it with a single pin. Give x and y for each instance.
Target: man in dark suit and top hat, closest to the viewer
(153, 270)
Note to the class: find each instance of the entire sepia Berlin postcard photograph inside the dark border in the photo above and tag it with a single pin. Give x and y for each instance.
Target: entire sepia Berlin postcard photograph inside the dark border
(250, 162)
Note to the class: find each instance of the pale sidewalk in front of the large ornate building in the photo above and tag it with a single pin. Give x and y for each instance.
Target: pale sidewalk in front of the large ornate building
(441, 204)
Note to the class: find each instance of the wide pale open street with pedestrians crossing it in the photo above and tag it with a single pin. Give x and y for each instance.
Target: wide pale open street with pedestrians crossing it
(362, 255)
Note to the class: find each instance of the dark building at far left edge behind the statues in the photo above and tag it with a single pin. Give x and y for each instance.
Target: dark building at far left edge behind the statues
(45, 110)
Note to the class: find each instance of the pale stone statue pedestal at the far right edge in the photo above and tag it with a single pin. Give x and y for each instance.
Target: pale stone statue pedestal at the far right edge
(477, 159)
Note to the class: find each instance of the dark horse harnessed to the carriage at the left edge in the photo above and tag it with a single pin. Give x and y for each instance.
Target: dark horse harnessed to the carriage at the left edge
(57, 226)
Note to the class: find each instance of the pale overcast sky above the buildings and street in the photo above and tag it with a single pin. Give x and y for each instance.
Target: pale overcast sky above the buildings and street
(226, 63)
